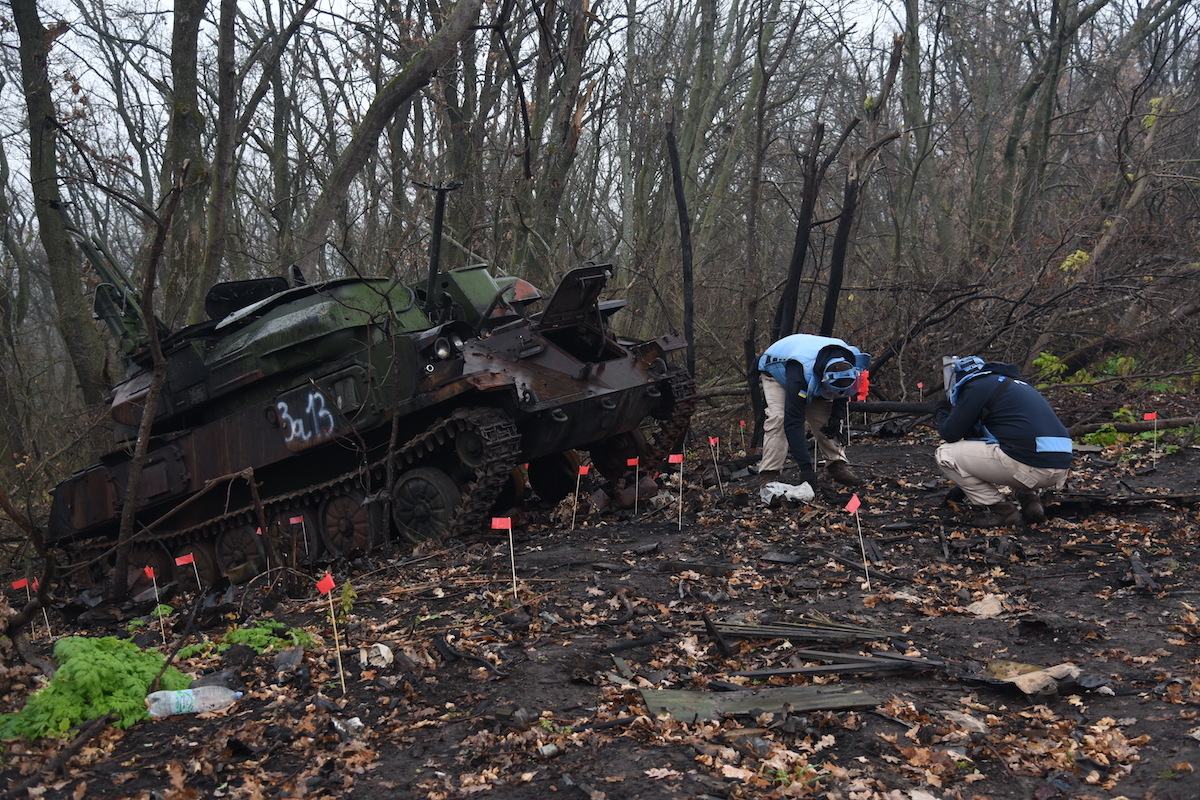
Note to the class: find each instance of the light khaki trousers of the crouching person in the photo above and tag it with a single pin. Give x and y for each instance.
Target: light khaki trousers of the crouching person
(981, 467)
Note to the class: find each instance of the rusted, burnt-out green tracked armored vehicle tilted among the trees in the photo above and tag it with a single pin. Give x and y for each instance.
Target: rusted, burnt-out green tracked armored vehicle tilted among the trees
(325, 418)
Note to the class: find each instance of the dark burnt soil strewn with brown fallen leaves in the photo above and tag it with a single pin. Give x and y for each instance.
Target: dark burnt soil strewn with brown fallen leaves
(611, 611)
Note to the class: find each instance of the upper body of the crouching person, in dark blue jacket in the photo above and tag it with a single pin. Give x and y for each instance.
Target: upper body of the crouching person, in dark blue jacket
(1015, 416)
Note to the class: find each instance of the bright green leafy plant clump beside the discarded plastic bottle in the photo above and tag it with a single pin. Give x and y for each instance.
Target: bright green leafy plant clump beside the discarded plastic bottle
(95, 677)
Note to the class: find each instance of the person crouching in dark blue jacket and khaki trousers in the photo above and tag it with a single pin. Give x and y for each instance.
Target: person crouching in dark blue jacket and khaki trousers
(999, 432)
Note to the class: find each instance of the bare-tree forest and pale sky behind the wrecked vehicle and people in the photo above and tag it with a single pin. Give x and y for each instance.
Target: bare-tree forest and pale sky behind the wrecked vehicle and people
(920, 178)
